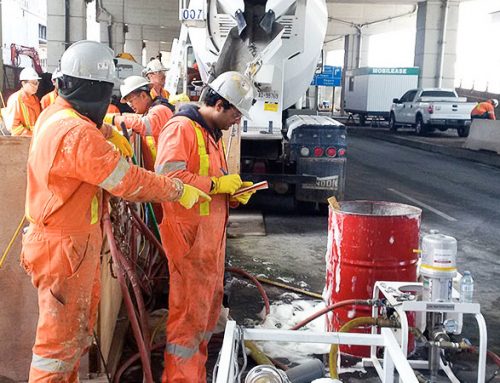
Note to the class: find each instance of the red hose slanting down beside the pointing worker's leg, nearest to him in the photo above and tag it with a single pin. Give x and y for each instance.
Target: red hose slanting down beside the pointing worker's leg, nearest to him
(117, 257)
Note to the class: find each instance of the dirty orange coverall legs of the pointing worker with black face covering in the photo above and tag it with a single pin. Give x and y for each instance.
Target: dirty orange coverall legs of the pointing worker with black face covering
(67, 299)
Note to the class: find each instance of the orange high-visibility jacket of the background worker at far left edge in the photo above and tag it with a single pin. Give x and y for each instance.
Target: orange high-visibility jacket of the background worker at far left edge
(21, 113)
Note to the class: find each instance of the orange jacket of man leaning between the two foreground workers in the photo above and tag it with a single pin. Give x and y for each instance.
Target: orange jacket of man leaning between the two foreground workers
(149, 124)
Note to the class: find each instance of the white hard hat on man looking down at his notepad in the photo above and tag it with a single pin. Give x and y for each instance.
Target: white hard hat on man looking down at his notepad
(236, 89)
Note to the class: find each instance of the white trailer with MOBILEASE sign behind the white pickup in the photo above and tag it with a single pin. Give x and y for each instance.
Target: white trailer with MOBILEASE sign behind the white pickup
(370, 91)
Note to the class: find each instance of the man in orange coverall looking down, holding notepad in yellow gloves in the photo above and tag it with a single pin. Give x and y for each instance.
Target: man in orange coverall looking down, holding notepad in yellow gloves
(190, 148)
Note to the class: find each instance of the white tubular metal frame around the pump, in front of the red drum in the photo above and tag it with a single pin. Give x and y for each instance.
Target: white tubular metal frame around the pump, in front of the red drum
(393, 293)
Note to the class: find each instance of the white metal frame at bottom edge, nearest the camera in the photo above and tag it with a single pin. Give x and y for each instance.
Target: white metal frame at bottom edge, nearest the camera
(393, 356)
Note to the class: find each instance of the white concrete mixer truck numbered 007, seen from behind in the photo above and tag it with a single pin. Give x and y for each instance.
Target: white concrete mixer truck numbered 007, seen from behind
(278, 43)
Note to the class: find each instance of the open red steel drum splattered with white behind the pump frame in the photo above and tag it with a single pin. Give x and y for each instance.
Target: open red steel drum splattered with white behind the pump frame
(368, 241)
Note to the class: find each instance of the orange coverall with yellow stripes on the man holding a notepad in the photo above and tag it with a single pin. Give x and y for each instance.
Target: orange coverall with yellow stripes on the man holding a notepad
(194, 241)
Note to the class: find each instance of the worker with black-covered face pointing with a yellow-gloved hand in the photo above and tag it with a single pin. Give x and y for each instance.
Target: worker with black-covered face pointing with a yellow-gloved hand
(70, 163)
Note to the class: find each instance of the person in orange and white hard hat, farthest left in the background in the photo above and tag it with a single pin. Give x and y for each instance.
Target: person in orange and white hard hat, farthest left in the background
(23, 106)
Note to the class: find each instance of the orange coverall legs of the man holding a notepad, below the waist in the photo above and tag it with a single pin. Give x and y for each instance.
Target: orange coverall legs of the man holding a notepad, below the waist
(196, 275)
